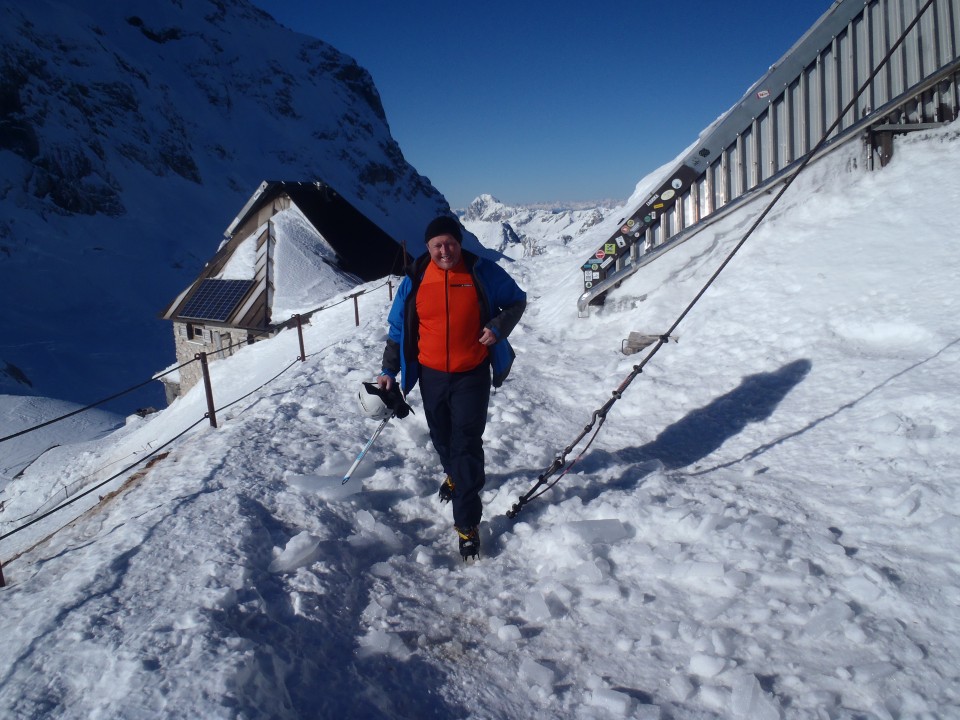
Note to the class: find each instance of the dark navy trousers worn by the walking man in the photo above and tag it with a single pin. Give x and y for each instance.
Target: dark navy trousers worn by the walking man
(455, 405)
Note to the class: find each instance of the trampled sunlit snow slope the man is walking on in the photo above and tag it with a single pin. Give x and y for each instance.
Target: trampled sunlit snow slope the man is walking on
(765, 526)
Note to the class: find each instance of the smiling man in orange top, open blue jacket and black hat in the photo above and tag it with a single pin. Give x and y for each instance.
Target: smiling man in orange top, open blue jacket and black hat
(448, 329)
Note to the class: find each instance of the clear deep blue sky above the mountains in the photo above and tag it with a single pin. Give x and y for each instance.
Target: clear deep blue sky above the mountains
(552, 101)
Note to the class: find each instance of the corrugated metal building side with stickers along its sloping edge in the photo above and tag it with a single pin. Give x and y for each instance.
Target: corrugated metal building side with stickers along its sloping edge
(764, 137)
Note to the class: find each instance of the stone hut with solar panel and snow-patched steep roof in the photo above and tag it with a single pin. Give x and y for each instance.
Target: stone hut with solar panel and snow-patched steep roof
(293, 245)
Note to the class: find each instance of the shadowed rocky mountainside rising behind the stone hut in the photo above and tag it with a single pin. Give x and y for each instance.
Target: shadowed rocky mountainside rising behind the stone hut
(131, 134)
